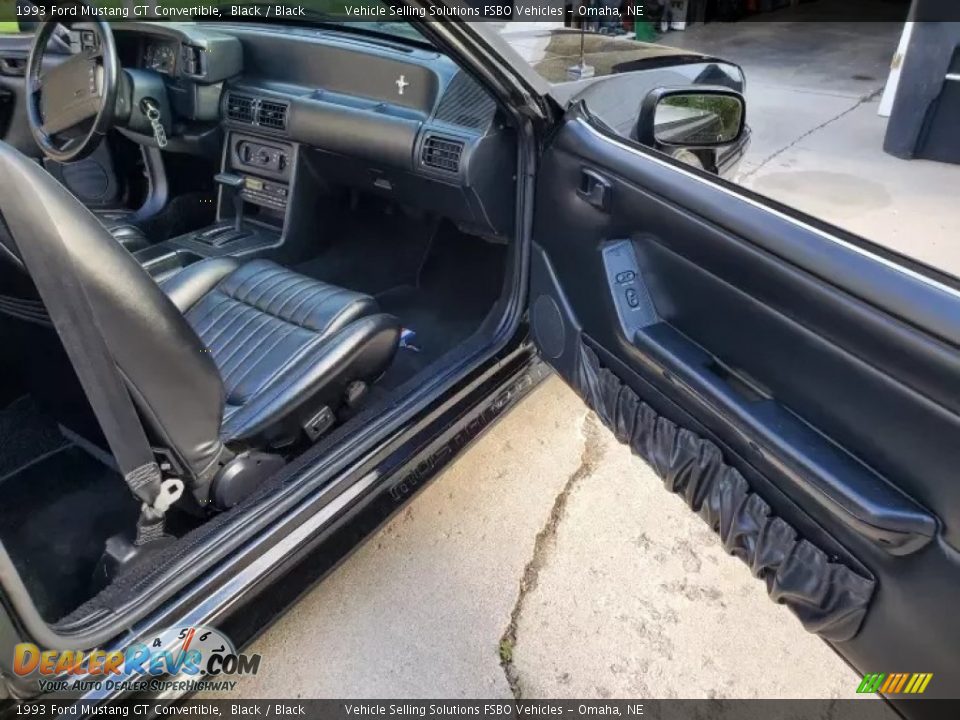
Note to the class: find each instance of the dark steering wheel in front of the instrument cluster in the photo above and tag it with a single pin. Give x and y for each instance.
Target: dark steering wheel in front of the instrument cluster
(74, 99)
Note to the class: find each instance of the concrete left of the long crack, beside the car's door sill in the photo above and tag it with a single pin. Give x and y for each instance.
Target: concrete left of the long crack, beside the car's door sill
(418, 611)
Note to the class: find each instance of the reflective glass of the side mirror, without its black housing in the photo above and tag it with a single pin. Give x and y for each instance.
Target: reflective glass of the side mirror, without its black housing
(698, 119)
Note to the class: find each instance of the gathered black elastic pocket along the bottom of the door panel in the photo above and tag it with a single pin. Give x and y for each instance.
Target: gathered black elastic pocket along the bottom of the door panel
(829, 598)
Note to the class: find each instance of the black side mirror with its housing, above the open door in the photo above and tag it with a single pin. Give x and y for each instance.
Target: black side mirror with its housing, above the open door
(692, 117)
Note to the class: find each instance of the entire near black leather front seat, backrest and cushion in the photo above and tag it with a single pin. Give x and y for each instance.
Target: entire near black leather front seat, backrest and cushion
(224, 360)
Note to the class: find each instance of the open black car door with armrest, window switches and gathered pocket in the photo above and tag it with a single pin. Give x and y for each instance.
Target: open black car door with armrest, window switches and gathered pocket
(798, 386)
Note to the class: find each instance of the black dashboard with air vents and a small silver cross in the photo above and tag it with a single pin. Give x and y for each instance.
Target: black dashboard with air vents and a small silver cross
(377, 114)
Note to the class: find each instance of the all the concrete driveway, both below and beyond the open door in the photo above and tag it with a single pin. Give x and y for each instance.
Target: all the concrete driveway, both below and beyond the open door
(549, 562)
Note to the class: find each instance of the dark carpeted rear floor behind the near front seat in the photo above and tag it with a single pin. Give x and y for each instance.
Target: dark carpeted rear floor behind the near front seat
(55, 516)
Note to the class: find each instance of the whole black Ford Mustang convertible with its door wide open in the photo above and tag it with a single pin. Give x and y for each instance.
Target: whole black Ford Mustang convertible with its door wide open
(271, 278)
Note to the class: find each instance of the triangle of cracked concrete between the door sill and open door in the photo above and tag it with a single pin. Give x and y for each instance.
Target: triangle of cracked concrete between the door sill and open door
(547, 539)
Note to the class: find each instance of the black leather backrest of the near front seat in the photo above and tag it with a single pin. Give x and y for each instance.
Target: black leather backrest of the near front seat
(172, 379)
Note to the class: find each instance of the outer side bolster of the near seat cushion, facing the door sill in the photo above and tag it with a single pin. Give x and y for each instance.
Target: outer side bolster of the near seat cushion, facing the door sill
(318, 377)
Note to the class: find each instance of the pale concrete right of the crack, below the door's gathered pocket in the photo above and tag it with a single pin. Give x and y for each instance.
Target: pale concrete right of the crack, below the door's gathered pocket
(639, 600)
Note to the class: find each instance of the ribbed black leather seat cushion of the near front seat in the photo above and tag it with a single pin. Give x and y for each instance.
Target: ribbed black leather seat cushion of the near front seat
(275, 337)
